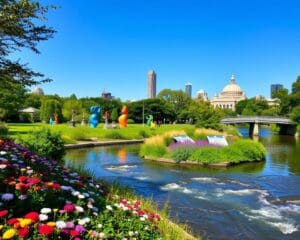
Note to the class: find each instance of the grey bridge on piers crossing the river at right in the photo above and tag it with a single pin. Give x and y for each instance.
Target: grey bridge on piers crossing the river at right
(285, 124)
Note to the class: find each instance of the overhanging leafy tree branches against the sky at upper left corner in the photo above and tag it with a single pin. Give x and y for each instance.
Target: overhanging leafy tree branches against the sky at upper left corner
(21, 28)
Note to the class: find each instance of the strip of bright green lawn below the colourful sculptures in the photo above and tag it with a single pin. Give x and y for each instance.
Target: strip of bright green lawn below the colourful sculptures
(70, 135)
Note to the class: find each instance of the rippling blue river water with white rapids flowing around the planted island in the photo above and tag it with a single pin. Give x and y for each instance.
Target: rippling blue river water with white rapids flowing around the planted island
(250, 201)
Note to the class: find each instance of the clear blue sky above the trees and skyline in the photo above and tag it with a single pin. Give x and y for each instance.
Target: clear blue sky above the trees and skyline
(111, 45)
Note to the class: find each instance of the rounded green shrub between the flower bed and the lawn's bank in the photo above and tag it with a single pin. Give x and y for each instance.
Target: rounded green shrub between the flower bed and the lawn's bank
(45, 143)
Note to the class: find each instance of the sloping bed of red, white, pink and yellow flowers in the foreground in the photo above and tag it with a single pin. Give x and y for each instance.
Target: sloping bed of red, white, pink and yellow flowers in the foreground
(41, 199)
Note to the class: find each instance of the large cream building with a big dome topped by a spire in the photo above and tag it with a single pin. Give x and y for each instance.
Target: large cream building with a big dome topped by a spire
(230, 95)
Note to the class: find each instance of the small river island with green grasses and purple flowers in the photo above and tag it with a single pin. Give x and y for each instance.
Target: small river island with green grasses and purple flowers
(201, 152)
